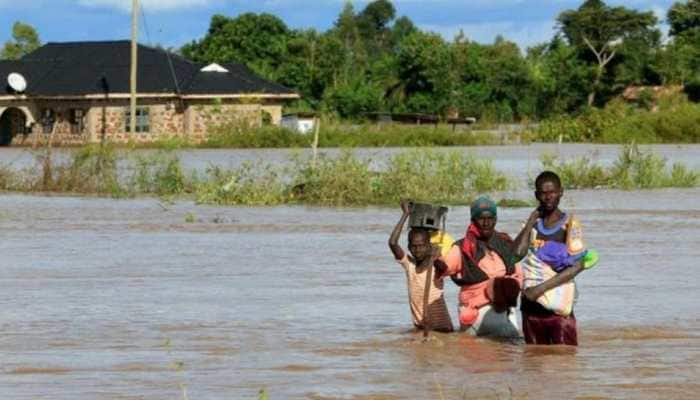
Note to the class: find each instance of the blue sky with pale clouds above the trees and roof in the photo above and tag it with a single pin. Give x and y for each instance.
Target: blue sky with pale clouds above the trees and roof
(175, 22)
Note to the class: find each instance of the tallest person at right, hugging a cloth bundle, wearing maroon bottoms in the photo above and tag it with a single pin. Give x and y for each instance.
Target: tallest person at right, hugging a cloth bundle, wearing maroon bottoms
(552, 243)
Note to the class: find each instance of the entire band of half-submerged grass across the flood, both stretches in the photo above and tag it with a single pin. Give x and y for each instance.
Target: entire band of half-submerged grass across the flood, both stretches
(448, 177)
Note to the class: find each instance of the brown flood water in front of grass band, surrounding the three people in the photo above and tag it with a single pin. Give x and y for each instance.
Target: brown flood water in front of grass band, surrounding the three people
(125, 299)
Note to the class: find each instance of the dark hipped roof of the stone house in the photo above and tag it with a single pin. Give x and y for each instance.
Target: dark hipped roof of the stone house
(83, 68)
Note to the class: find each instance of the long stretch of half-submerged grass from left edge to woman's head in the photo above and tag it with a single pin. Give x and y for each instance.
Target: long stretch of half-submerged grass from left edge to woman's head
(425, 174)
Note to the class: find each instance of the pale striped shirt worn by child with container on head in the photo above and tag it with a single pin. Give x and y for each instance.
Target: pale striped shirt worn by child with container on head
(439, 317)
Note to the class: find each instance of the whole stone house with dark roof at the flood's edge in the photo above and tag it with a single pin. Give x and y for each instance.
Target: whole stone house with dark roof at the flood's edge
(79, 92)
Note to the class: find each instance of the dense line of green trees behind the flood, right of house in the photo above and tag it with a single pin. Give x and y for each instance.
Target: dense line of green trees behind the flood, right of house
(371, 60)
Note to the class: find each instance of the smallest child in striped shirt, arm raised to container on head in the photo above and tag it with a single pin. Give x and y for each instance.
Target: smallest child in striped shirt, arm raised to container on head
(417, 266)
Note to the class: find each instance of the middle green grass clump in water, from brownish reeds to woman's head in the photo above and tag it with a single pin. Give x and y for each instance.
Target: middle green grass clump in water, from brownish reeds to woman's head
(348, 180)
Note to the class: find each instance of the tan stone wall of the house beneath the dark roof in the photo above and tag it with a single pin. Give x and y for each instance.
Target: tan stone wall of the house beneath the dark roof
(106, 119)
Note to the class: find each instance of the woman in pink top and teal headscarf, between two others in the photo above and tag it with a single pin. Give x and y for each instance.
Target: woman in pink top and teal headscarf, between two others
(483, 264)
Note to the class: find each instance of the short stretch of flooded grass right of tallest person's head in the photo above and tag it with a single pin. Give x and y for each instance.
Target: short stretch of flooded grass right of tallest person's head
(634, 169)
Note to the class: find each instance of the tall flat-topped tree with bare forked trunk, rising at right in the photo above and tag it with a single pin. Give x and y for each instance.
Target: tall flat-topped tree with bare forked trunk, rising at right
(597, 29)
